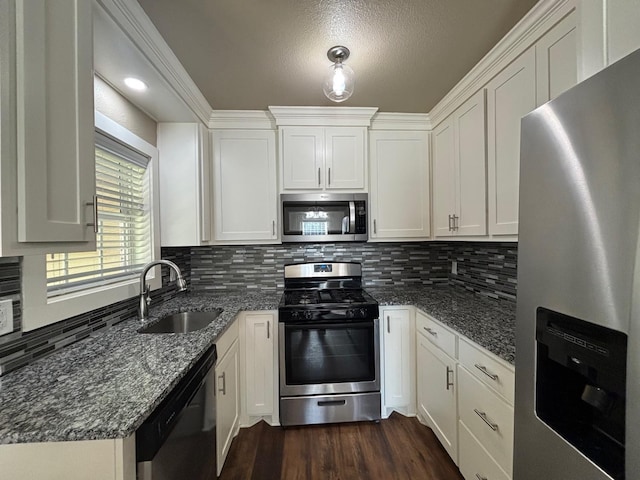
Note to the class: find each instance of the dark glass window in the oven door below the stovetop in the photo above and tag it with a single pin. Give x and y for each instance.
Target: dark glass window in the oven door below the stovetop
(330, 353)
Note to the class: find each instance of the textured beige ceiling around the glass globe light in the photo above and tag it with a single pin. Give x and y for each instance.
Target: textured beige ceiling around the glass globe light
(406, 54)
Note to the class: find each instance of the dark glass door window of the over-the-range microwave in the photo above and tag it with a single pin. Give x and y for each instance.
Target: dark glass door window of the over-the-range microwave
(309, 218)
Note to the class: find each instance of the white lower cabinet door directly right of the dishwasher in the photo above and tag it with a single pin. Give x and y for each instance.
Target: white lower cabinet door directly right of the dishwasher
(227, 401)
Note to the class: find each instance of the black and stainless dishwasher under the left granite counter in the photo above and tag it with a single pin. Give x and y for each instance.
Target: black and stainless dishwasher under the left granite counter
(178, 440)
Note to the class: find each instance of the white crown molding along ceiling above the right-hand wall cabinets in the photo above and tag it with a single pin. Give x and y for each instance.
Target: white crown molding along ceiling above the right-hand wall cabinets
(544, 15)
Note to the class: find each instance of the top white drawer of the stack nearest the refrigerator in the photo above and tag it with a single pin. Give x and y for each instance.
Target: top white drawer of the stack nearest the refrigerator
(488, 370)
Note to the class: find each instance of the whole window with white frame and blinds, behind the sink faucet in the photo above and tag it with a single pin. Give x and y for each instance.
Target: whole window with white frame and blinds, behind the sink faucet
(47, 297)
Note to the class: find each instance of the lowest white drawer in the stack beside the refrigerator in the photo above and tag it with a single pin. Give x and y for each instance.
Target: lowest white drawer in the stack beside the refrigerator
(475, 462)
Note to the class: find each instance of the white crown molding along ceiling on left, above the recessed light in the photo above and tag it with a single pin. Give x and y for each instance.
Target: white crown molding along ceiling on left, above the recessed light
(136, 25)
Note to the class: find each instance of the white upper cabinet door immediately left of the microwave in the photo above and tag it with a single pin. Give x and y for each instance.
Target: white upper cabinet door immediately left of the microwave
(245, 185)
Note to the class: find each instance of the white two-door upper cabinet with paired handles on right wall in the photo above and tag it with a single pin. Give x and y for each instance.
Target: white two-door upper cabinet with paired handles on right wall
(459, 166)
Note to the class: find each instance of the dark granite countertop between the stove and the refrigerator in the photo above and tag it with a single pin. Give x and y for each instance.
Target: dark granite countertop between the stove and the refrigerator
(489, 323)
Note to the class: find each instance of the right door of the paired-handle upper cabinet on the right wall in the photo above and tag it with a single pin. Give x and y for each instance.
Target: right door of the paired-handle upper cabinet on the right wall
(471, 167)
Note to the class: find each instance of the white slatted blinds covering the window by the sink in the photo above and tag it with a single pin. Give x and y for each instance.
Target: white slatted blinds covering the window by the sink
(124, 238)
